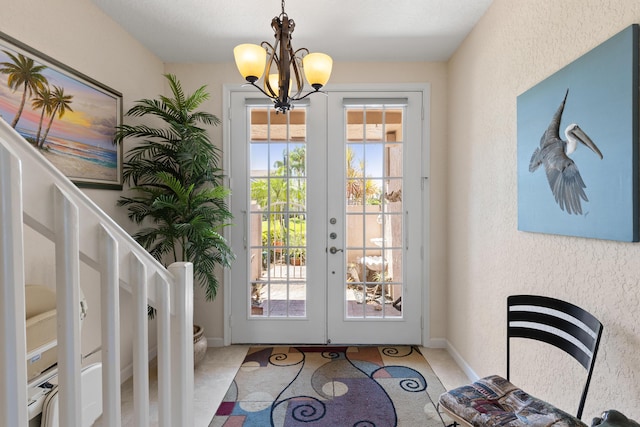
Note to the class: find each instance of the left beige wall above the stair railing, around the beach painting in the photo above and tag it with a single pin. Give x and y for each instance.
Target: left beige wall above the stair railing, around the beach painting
(90, 42)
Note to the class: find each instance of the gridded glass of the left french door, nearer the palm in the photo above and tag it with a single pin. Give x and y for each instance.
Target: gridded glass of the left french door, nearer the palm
(277, 225)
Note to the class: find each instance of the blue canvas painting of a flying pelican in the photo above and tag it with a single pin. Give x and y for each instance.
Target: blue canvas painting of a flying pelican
(578, 146)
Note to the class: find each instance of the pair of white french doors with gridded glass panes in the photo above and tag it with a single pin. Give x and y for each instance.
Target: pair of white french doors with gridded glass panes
(327, 204)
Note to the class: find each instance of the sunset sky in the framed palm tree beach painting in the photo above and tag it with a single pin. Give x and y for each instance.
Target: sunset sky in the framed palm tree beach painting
(92, 120)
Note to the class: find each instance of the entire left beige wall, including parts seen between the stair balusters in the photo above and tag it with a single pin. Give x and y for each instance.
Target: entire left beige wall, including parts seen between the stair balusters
(78, 34)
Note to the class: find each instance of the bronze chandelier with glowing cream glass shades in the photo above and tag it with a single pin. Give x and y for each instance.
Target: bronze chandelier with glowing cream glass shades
(251, 60)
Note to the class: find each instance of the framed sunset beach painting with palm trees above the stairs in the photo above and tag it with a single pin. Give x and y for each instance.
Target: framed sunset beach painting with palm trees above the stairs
(69, 117)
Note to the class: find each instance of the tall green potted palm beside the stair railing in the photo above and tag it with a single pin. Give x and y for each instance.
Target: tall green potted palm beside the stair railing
(176, 181)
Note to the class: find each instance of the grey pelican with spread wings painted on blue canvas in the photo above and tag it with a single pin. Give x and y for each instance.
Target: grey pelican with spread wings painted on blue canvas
(564, 179)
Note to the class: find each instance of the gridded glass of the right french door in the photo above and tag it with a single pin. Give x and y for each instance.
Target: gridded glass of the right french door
(374, 212)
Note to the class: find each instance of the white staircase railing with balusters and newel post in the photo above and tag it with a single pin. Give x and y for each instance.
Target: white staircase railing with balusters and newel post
(82, 232)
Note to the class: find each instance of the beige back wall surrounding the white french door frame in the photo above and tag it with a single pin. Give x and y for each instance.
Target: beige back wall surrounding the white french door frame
(216, 75)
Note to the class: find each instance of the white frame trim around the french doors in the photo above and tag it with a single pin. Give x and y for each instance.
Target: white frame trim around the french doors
(425, 88)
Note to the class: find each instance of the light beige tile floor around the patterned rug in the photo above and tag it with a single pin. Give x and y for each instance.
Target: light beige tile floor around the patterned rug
(214, 374)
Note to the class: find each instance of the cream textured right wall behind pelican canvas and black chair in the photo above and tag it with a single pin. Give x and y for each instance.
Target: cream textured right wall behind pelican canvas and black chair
(517, 44)
